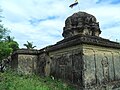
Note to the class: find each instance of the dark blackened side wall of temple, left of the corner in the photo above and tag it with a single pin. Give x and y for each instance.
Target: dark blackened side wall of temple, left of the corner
(65, 63)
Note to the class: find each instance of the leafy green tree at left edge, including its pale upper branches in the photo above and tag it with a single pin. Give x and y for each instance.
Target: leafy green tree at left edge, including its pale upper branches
(7, 44)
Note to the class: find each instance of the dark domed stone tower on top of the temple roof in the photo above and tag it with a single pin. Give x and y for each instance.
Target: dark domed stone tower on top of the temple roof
(81, 23)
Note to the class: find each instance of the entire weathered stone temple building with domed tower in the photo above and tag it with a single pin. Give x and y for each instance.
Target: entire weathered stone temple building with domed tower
(82, 57)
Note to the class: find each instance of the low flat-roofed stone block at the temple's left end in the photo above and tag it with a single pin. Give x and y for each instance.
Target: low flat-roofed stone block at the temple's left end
(24, 61)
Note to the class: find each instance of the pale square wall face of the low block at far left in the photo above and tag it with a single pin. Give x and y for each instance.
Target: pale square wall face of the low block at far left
(27, 63)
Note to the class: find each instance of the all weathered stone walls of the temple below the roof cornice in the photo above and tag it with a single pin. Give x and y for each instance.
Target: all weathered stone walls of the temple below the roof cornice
(90, 67)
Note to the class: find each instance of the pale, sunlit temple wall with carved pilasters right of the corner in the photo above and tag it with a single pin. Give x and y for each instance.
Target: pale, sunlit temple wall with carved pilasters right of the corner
(101, 67)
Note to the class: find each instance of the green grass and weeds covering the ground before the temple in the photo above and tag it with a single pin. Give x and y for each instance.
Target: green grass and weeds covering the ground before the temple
(10, 81)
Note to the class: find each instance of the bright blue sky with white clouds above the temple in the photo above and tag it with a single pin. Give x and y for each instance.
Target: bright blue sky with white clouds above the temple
(42, 21)
